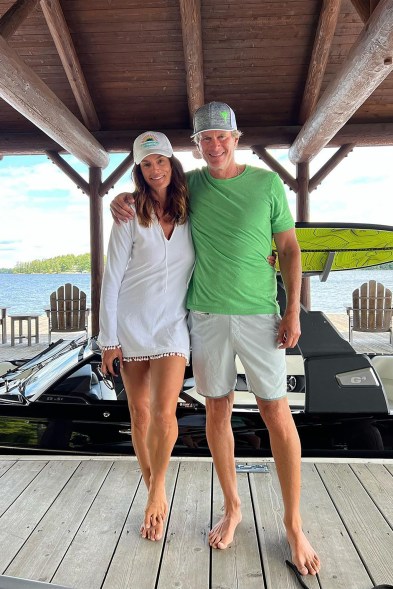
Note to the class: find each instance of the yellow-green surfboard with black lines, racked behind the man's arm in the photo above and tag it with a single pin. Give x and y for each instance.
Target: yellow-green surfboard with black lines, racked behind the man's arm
(328, 247)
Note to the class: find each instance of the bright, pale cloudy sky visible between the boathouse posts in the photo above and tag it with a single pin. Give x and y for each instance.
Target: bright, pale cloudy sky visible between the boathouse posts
(44, 214)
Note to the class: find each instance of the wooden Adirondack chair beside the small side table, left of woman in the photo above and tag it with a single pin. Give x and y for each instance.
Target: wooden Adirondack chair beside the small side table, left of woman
(67, 311)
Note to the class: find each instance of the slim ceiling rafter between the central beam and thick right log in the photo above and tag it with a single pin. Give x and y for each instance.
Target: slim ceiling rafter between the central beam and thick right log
(319, 58)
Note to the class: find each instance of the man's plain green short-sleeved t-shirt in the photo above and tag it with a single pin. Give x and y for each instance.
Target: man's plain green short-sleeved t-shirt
(232, 224)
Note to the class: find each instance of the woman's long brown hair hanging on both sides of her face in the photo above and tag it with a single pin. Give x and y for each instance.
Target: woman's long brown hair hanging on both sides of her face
(177, 208)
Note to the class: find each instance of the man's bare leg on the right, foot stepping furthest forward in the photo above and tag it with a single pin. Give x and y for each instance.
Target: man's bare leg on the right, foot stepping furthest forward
(285, 445)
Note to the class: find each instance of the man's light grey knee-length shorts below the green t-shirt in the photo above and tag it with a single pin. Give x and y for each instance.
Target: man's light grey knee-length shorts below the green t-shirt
(217, 339)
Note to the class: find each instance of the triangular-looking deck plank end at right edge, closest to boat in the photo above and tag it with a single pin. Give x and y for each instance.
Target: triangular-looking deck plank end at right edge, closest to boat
(378, 482)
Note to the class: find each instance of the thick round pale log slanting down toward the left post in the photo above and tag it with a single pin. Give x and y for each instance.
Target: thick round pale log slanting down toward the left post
(27, 93)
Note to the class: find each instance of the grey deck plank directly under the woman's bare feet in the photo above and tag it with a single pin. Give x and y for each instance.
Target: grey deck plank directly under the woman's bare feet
(136, 561)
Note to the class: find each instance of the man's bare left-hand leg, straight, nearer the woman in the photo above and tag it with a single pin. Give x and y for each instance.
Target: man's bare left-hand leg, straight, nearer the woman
(221, 444)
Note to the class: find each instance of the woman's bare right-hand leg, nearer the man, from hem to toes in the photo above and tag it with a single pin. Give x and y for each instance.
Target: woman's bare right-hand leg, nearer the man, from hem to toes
(166, 382)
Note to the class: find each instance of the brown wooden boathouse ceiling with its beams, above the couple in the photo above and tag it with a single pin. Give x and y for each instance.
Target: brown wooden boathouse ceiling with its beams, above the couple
(86, 76)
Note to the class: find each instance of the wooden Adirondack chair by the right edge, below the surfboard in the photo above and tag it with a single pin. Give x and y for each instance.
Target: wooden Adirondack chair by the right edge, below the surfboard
(371, 309)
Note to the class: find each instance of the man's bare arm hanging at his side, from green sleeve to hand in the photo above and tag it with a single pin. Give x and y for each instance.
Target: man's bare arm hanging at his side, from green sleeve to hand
(291, 271)
